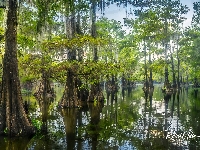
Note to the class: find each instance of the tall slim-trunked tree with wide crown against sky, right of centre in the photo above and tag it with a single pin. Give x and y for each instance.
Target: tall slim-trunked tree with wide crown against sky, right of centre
(170, 15)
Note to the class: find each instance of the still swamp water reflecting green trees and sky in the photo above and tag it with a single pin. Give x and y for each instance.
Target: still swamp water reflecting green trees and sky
(125, 121)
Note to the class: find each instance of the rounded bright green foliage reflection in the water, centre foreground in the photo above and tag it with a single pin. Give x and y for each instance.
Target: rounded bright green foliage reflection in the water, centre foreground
(115, 127)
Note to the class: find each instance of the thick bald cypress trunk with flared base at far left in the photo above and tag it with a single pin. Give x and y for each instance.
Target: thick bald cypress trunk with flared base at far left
(13, 119)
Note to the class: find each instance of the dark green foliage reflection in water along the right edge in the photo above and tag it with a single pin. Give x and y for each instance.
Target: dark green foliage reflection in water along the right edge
(188, 112)
